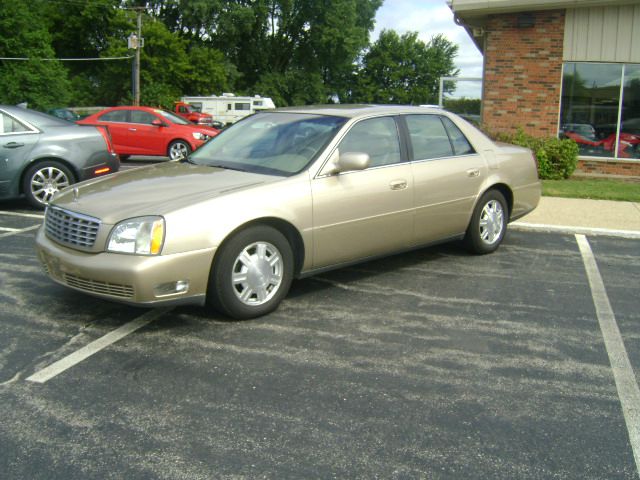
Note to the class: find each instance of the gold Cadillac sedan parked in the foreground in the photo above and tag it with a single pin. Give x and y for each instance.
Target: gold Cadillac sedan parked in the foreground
(283, 194)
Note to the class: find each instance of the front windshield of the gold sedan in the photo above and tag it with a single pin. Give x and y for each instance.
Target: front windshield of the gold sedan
(273, 143)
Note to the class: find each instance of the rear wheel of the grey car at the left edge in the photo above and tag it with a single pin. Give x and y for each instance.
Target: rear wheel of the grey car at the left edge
(43, 180)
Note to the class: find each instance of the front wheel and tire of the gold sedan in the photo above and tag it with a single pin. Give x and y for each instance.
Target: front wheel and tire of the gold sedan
(251, 273)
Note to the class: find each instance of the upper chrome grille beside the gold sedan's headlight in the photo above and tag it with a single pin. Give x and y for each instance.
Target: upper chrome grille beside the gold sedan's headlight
(71, 228)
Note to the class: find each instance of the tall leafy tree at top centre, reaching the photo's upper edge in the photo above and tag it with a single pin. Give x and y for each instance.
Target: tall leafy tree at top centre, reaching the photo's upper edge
(292, 50)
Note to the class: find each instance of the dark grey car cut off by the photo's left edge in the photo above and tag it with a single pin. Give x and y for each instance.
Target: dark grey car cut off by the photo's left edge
(41, 154)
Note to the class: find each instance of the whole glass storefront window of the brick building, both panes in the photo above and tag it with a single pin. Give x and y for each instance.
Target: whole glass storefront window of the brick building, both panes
(590, 108)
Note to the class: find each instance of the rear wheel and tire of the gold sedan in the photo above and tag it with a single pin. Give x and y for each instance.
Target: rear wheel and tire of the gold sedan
(488, 223)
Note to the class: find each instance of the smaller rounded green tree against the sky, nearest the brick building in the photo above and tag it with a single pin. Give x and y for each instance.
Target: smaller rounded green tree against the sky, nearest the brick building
(403, 69)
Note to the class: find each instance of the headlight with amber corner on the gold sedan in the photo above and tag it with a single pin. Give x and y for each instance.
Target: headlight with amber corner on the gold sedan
(142, 236)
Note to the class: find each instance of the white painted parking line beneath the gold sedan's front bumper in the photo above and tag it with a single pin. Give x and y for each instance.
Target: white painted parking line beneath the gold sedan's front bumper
(94, 347)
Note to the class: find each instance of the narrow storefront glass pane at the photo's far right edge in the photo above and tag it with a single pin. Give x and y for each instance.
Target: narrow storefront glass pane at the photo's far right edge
(629, 144)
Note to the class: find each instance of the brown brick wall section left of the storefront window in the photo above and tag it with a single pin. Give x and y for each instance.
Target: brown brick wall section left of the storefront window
(523, 73)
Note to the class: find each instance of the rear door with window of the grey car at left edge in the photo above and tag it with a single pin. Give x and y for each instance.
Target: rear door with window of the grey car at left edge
(17, 139)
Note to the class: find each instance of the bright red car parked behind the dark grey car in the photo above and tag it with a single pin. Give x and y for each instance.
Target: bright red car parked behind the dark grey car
(150, 131)
